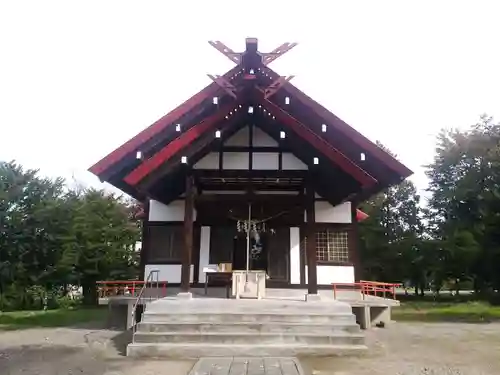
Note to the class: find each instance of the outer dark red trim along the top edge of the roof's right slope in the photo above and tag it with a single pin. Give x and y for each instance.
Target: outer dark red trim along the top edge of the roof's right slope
(345, 128)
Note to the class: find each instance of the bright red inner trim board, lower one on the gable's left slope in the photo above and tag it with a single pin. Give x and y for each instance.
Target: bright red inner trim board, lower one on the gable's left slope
(146, 167)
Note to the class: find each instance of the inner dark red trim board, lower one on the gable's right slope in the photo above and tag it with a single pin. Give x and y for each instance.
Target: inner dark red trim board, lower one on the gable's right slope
(320, 144)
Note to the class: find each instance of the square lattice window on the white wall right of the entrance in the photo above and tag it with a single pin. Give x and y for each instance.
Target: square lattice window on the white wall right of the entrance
(331, 246)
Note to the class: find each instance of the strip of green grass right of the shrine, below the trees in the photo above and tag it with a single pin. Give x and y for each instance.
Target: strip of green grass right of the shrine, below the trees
(473, 312)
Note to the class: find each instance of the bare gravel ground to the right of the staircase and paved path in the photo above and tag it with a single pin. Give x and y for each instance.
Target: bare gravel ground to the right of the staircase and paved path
(421, 348)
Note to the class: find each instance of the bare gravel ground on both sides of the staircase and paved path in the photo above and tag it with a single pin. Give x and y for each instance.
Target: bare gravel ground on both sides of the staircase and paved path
(401, 349)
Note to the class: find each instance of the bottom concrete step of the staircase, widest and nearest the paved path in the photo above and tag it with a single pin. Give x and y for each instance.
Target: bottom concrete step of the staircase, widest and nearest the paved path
(197, 350)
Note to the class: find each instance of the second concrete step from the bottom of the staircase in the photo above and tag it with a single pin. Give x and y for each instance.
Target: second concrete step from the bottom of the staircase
(255, 327)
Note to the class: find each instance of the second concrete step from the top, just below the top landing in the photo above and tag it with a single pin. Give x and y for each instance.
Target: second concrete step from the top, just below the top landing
(231, 317)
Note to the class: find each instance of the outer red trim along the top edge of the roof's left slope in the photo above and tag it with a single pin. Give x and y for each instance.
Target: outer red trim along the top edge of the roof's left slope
(134, 143)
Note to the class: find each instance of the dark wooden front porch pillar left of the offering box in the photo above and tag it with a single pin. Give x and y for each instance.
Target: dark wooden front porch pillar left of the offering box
(188, 235)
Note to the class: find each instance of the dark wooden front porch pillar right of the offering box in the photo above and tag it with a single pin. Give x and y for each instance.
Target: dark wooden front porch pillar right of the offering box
(312, 272)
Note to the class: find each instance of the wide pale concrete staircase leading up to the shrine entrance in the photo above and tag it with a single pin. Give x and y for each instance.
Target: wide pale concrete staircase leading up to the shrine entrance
(214, 327)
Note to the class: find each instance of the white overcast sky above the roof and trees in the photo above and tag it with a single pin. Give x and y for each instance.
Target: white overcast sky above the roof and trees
(79, 78)
